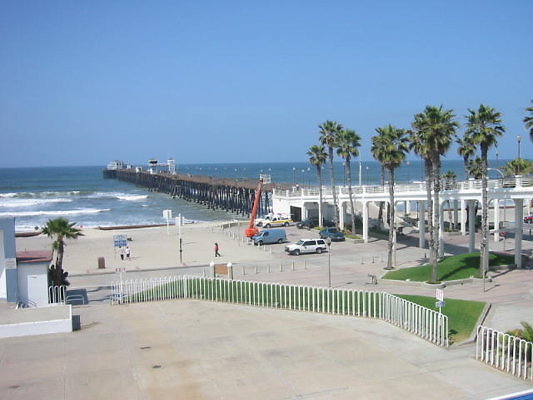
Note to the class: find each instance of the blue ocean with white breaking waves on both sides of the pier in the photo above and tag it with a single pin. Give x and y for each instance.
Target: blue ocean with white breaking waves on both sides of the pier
(81, 194)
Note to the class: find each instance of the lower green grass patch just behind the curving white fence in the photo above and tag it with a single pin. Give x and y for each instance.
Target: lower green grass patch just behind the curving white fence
(462, 314)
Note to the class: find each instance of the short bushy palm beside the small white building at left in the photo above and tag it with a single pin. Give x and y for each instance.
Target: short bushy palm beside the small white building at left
(60, 229)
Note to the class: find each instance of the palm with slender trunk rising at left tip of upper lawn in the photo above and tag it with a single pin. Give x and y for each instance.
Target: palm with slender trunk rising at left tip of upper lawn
(390, 147)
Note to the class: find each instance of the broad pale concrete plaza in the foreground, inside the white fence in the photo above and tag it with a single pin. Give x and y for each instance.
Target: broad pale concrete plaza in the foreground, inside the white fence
(199, 350)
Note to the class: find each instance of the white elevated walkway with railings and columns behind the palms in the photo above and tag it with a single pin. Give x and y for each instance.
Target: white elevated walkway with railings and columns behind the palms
(303, 203)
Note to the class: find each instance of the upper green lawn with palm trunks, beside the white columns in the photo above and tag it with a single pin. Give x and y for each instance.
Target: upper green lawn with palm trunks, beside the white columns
(461, 266)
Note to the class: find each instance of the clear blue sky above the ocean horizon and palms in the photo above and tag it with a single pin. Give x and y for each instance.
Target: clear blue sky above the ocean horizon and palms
(85, 82)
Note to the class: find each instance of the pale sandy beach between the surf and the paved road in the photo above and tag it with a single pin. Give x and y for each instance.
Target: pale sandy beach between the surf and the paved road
(153, 247)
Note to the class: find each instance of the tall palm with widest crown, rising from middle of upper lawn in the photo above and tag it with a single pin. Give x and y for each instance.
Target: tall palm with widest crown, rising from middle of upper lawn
(436, 128)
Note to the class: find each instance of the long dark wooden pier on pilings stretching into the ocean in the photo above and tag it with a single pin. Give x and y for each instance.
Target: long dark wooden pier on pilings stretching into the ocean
(231, 195)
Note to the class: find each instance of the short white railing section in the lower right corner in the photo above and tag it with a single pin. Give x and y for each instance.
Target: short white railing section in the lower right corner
(505, 352)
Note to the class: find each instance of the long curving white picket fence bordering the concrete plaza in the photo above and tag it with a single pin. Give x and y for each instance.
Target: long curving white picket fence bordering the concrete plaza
(428, 324)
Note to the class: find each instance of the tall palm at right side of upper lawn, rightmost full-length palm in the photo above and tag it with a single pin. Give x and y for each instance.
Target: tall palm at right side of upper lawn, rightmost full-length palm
(484, 126)
